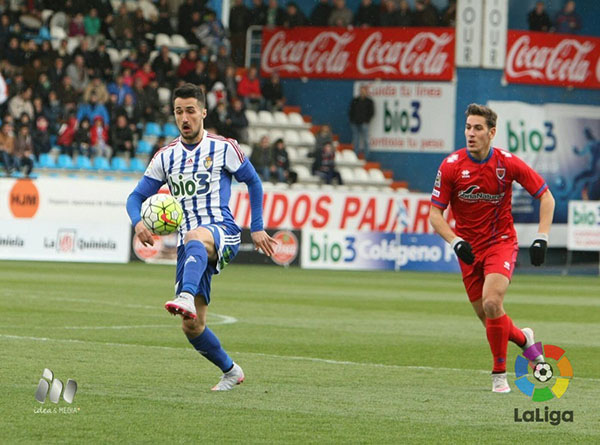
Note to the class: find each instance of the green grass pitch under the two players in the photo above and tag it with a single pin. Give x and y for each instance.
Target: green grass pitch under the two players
(329, 357)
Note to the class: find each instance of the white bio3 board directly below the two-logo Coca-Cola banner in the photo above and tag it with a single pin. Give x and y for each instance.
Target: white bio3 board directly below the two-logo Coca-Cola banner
(407, 116)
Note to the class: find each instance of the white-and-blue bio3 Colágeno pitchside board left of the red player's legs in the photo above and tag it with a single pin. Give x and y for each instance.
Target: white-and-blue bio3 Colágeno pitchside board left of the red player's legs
(349, 250)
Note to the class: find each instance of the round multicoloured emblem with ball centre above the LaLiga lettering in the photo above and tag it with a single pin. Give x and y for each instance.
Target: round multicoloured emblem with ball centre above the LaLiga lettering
(543, 373)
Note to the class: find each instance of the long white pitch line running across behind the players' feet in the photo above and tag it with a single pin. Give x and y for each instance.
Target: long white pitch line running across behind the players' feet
(260, 354)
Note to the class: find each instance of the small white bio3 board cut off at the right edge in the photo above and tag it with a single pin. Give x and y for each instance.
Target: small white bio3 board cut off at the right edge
(584, 225)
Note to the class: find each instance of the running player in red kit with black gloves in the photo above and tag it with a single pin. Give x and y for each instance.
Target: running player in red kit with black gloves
(476, 182)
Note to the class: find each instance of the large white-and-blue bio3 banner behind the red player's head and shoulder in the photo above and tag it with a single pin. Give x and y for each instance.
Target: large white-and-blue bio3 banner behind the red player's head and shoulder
(561, 142)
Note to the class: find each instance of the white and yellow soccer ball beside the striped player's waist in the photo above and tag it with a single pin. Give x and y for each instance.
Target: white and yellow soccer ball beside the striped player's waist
(162, 214)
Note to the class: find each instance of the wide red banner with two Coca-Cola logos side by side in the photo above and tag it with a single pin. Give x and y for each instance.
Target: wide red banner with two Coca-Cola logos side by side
(340, 53)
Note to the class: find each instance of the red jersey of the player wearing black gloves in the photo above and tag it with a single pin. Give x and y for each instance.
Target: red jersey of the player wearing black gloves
(480, 193)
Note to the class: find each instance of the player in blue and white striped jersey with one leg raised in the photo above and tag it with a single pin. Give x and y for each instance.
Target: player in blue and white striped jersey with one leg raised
(198, 167)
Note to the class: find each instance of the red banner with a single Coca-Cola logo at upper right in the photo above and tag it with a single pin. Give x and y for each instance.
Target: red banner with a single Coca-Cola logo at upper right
(553, 59)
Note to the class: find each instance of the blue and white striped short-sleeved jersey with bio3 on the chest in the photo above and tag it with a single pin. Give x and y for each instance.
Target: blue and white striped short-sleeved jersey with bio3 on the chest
(199, 178)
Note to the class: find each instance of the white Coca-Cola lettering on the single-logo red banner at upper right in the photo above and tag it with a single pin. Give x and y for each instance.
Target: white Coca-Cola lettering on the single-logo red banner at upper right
(564, 62)
